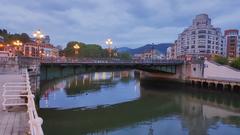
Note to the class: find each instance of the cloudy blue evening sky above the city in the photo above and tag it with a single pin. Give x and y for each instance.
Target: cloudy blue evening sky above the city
(129, 23)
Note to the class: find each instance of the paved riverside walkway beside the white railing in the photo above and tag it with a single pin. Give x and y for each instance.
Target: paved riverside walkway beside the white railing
(12, 122)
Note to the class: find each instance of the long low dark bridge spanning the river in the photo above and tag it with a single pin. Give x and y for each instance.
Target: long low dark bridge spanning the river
(71, 66)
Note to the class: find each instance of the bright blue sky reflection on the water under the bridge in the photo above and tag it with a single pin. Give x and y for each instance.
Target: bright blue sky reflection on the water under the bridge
(91, 90)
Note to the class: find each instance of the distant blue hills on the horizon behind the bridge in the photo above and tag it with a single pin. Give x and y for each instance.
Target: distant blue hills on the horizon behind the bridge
(160, 47)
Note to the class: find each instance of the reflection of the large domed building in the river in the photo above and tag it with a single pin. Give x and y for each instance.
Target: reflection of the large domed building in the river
(199, 113)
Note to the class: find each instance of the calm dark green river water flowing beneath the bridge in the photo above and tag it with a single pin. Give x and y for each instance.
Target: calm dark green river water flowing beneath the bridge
(120, 103)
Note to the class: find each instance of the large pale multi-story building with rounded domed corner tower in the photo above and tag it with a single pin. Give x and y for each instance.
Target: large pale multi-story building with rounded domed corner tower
(201, 39)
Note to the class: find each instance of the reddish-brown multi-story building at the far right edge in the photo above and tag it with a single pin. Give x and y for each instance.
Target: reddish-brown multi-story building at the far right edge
(232, 37)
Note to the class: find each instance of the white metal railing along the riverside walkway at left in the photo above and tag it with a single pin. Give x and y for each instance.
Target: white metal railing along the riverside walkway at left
(18, 91)
